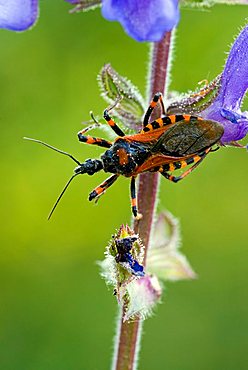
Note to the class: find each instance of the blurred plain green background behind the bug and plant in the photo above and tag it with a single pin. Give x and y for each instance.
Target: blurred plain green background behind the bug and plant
(55, 311)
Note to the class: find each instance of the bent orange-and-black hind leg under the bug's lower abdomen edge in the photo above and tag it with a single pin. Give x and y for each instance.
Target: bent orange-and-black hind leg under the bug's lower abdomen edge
(196, 160)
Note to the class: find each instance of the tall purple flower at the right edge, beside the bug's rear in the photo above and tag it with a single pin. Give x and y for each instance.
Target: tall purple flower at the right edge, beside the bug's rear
(233, 85)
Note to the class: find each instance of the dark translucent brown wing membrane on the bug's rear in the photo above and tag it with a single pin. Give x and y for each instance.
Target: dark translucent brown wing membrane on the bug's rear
(188, 137)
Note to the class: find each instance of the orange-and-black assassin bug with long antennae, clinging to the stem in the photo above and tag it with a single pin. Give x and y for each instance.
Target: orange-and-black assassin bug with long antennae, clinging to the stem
(170, 142)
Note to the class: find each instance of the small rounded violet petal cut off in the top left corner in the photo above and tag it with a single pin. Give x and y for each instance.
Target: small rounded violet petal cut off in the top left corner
(18, 15)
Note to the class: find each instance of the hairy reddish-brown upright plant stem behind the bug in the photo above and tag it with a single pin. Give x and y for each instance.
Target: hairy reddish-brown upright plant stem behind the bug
(128, 338)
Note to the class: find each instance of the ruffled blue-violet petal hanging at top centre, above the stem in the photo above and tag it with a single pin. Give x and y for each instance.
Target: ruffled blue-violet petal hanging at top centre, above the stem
(144, 20)
